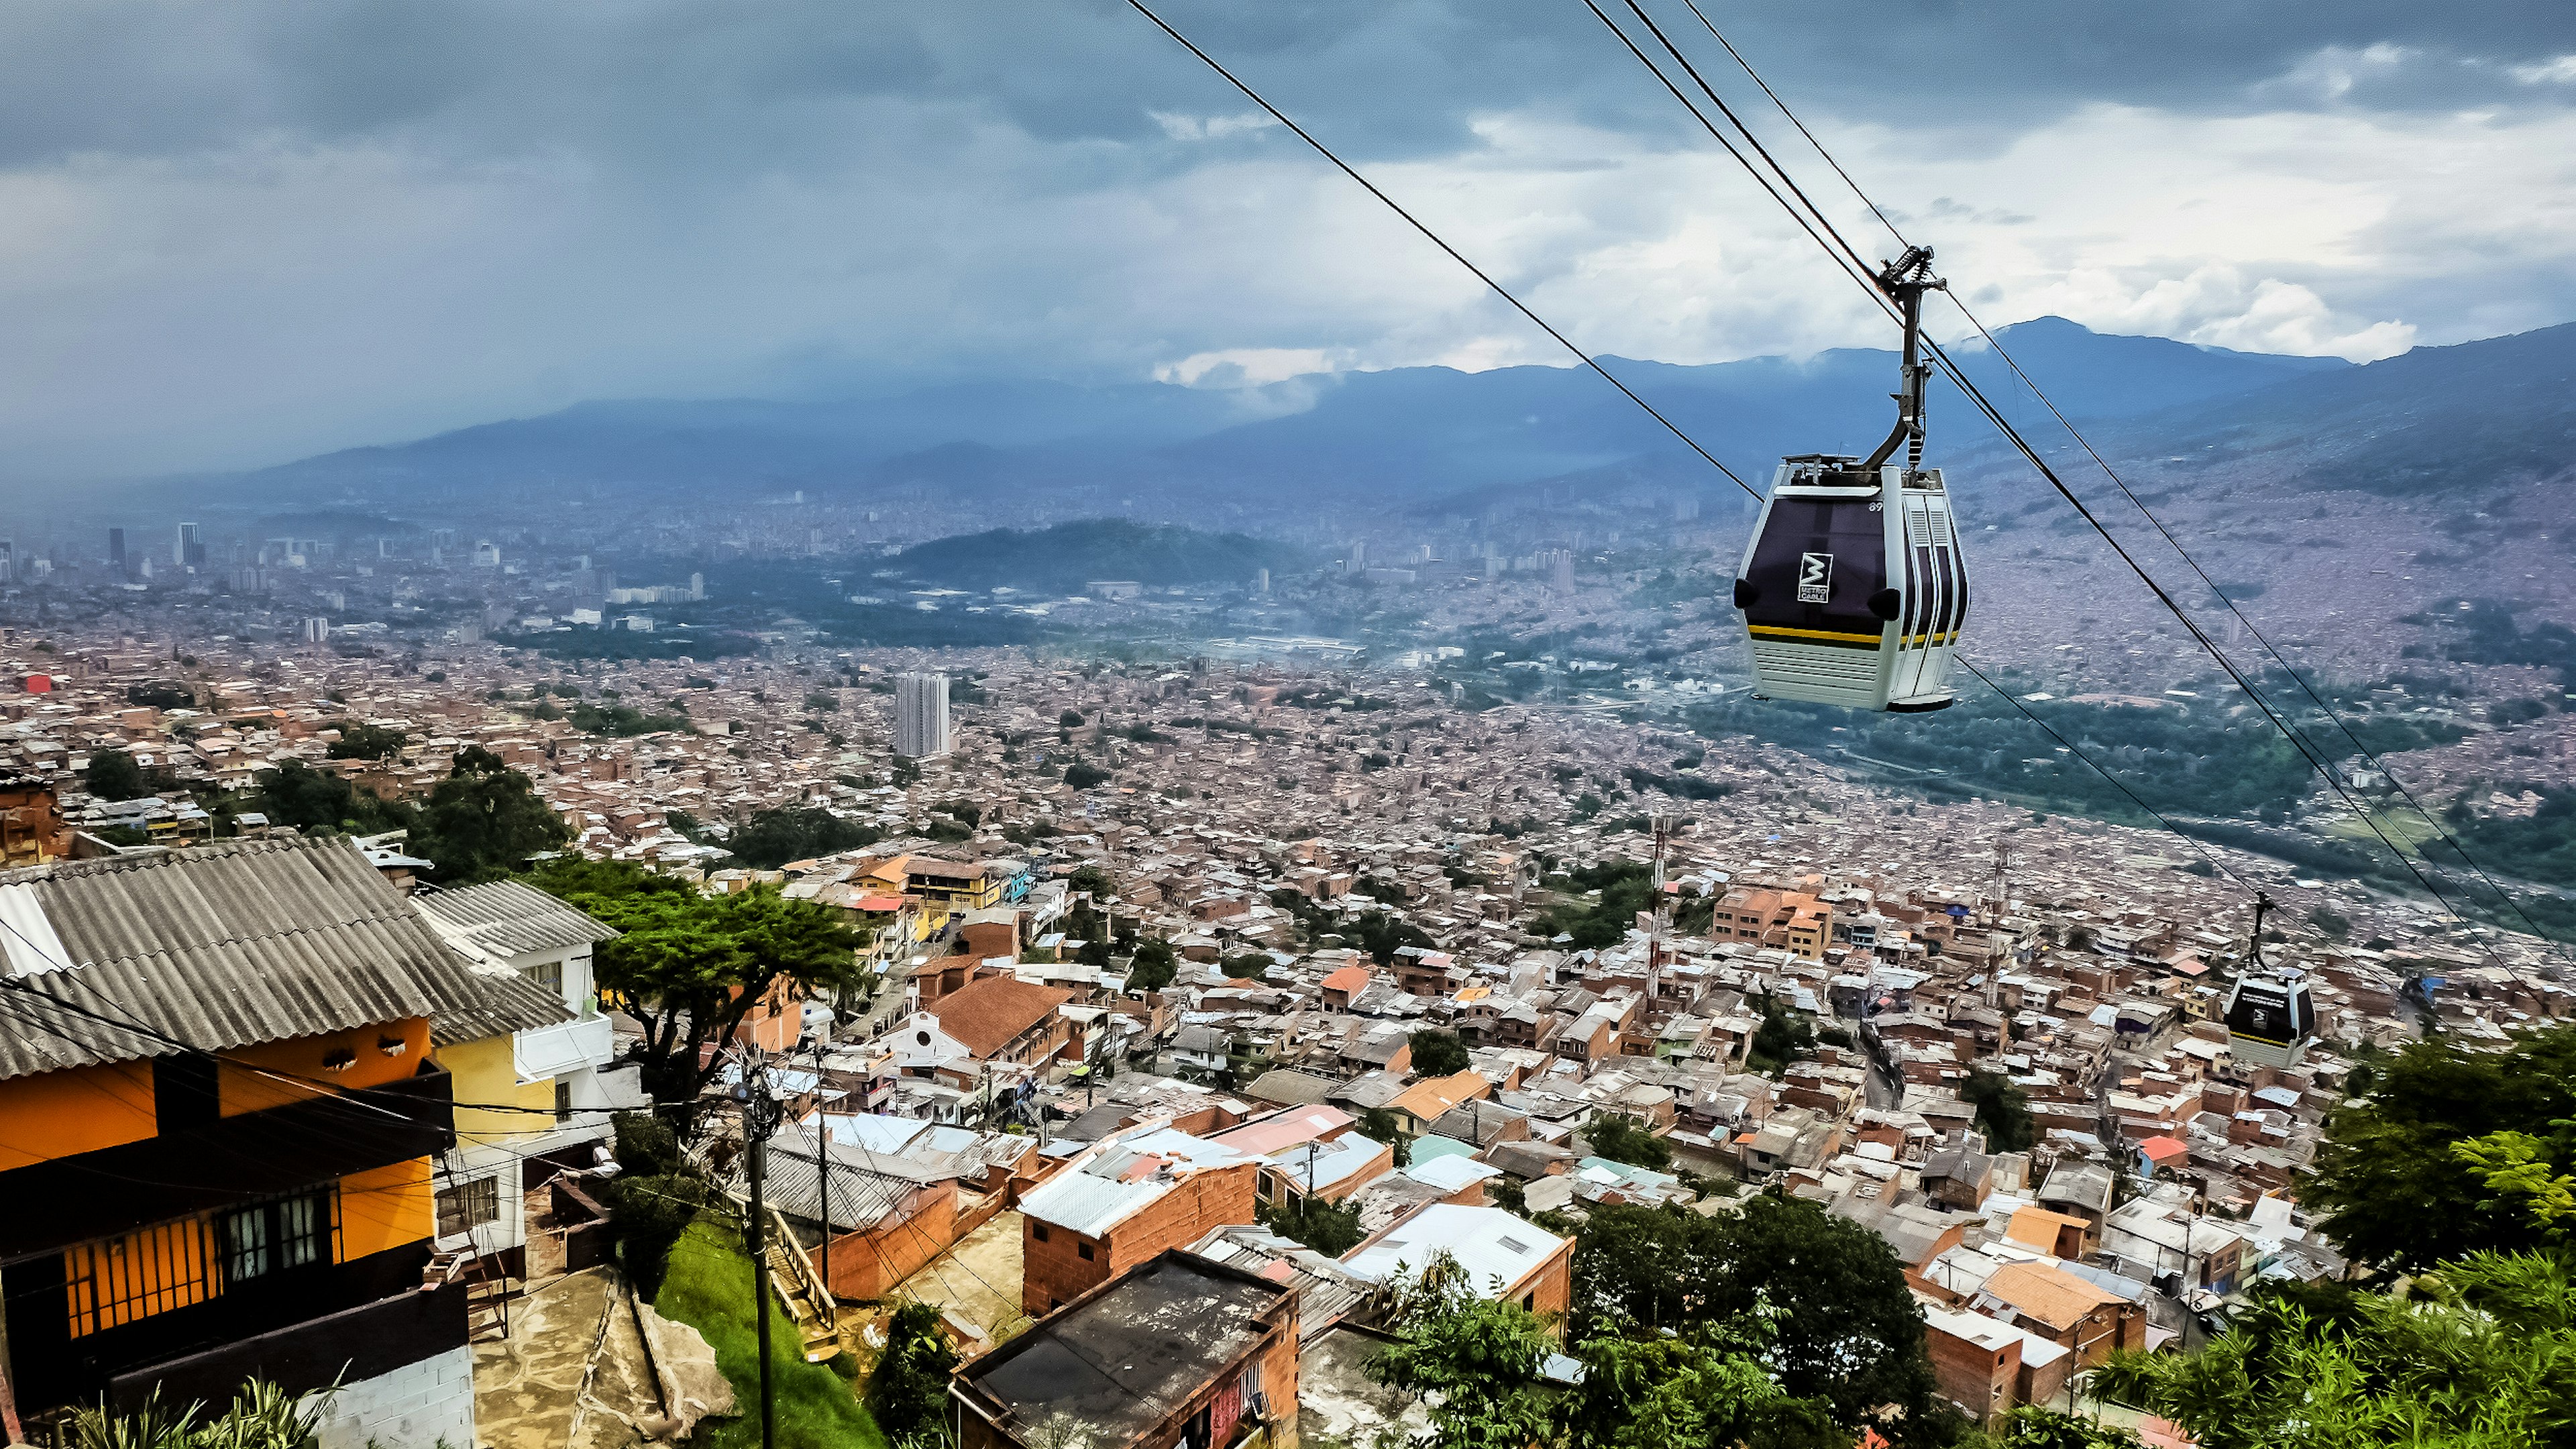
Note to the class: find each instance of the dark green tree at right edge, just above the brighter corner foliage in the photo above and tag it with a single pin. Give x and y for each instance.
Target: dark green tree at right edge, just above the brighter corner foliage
(2387, 1177)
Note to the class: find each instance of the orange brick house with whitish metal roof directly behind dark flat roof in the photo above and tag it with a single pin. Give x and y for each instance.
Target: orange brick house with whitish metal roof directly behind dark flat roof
(1122, 1203)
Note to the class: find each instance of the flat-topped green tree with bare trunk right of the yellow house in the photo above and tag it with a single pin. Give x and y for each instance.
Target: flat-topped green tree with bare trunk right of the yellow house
(689, 968)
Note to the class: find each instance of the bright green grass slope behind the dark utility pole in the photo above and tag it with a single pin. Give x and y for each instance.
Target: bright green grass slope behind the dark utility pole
(710, 1288)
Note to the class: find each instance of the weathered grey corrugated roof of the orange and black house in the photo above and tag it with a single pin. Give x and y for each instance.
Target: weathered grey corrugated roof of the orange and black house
(223, 948)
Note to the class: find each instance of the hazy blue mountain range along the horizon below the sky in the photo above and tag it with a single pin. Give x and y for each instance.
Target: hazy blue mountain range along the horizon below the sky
(1439, 437)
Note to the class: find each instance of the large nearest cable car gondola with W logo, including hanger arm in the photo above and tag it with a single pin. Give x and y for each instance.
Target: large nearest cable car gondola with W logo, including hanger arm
(1853, 587)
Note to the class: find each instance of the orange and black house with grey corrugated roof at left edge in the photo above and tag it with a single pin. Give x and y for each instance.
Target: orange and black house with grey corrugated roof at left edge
(220, 1120)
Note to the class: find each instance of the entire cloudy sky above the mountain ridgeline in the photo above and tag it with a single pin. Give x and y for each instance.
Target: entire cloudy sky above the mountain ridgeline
(238, 233)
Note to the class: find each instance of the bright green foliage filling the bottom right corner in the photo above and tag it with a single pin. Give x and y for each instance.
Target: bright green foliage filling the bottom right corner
(2479, 1355)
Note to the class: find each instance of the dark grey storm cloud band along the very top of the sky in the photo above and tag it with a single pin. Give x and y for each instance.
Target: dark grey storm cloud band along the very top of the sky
(697, 79)
